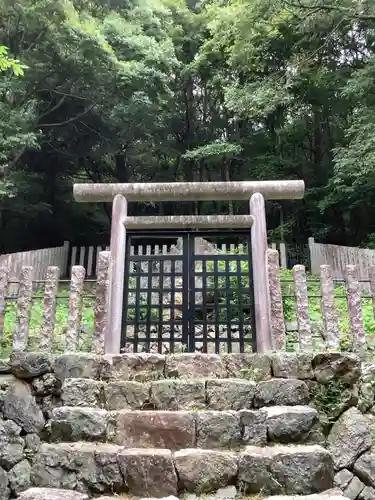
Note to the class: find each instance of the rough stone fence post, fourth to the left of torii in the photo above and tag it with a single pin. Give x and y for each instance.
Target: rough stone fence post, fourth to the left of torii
(25, 292)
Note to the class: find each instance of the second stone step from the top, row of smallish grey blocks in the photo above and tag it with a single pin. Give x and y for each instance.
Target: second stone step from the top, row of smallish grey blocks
(176, 394)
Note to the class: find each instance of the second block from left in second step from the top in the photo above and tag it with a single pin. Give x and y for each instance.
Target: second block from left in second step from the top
(126, 394)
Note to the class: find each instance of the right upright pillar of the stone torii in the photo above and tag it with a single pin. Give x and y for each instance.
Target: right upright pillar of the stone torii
(259, 248)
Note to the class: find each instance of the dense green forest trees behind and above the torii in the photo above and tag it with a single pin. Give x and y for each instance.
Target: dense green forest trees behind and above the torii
(139, 90)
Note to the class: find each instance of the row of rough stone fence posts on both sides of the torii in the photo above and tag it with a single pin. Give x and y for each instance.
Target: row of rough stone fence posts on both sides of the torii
(355, 337)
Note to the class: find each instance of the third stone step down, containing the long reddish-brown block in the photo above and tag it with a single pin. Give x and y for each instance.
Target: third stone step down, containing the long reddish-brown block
(186, 429)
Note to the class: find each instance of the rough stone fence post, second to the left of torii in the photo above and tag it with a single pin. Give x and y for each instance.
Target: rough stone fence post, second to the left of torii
(75, 307)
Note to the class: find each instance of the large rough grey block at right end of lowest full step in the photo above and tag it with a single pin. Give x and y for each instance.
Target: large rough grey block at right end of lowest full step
(292, 470)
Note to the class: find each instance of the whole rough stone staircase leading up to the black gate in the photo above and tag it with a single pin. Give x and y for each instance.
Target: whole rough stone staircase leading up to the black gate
(149, 427)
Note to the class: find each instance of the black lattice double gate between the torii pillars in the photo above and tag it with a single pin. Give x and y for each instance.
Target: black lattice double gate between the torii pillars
(180, 294)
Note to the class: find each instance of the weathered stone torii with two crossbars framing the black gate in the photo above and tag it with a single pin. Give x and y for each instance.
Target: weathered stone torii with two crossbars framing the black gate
(121, 194)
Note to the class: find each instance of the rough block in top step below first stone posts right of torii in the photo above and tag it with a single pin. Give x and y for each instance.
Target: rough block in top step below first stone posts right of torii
(292, 365)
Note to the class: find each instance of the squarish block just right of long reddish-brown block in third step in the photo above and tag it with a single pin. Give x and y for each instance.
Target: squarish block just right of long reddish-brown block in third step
(218, 429)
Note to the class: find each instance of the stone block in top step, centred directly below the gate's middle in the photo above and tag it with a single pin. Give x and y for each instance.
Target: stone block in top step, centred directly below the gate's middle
(194, 365)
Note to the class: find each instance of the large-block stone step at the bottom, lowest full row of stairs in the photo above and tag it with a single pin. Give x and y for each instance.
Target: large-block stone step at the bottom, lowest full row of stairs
(101, 469)
